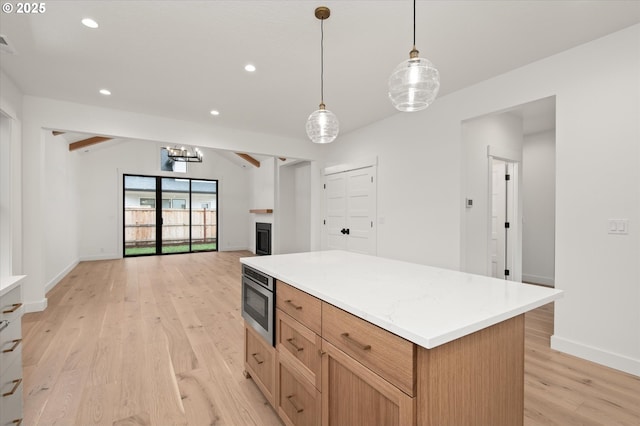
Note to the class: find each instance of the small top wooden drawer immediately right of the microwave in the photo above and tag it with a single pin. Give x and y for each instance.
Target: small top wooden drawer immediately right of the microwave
(299, 305)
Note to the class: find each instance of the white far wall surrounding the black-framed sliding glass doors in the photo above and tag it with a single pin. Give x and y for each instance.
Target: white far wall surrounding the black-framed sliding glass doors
(100, 193)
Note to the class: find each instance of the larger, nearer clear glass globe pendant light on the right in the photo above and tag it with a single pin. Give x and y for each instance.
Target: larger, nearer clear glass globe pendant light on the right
(414, 84)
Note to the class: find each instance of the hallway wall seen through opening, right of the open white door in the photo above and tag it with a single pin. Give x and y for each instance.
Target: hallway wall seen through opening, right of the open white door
(539, 206)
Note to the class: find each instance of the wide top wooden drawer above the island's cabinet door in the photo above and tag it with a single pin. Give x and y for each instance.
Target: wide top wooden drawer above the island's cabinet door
(388, 355)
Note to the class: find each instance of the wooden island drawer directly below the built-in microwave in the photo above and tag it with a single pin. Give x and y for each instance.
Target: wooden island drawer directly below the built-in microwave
(259, 360)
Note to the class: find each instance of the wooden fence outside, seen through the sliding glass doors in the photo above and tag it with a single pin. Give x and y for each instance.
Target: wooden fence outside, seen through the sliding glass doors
(140, 226)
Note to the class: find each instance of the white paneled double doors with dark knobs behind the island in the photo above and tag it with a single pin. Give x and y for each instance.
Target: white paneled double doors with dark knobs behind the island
(351, 211)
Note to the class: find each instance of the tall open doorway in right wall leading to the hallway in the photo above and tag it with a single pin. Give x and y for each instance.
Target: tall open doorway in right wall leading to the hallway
(525, 136)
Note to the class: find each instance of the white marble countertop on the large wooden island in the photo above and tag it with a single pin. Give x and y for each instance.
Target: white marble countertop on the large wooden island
(425, 305)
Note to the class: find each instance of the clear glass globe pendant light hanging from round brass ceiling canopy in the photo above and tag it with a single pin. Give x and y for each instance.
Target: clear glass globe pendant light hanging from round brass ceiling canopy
(322, 125)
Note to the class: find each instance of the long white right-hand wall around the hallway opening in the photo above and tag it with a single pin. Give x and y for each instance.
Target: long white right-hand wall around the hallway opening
(421, 191)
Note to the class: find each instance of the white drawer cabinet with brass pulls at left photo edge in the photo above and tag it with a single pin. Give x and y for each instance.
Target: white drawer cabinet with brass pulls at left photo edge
(10, 351)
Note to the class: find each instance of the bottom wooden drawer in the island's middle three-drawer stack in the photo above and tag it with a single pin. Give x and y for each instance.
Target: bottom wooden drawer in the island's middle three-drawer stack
(298, 401)
